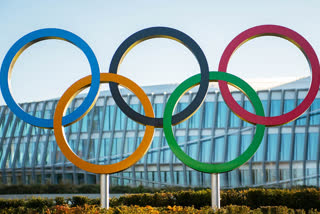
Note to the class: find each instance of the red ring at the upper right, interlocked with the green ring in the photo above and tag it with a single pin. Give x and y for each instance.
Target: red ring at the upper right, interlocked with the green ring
(296, 39)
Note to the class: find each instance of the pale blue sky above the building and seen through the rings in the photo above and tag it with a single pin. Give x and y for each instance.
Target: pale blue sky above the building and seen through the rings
(46, 69)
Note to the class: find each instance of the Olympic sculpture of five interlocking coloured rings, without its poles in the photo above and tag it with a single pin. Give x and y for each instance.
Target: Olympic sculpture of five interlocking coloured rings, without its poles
(149, 120)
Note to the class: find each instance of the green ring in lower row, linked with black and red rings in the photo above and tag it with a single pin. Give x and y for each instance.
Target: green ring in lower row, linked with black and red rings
(207, 167)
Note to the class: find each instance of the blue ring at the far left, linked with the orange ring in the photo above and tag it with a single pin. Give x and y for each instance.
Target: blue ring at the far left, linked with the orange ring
(25, 42)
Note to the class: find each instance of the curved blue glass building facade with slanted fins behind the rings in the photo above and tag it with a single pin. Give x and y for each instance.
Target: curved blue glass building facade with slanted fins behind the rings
(288, 155)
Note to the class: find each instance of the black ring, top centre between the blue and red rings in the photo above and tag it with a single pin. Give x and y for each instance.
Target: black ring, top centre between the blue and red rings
(160, 32)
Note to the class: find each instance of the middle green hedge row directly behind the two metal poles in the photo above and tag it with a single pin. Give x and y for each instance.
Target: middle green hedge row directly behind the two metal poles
(305, 199)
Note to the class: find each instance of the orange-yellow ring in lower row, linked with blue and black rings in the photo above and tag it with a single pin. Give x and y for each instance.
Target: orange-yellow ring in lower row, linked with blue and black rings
(61, 108)
